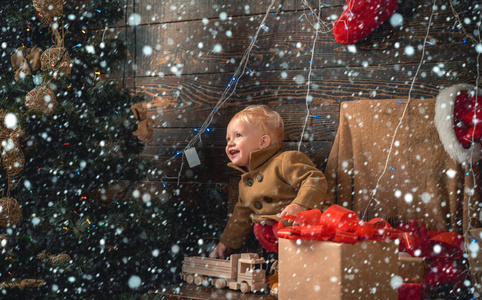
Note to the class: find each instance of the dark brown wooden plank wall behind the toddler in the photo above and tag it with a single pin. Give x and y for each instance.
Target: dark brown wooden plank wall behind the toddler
(183, 54)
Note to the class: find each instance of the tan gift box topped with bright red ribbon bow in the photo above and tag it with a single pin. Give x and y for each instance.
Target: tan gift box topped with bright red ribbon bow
(334, 255)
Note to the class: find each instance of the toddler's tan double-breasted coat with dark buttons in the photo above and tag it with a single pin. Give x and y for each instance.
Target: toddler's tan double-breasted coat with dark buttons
(276, 180)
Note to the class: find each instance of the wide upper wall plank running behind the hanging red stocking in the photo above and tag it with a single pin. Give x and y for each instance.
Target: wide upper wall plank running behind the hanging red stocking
(286, 42)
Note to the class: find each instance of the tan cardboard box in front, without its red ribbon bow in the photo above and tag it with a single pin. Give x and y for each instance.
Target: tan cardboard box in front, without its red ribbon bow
(312, 269)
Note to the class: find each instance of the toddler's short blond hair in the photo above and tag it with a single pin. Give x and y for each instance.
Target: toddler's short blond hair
(265, 119)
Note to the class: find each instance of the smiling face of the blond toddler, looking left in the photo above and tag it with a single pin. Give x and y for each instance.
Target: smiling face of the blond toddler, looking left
(242, 138)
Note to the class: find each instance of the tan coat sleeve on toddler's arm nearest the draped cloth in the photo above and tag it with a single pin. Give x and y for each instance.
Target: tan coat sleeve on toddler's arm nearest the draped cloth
(299, 171)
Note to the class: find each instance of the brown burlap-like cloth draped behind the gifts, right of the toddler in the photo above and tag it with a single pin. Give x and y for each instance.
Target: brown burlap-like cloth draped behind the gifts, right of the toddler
(417, 181)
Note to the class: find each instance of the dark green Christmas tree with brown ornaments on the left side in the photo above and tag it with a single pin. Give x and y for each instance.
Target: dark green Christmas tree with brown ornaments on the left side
(66, 137)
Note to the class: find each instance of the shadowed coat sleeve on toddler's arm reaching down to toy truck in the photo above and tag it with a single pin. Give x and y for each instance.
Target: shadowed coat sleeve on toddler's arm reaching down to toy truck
(239, 226)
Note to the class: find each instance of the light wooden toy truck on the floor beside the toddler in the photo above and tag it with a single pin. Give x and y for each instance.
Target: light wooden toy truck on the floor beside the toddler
(241, 272)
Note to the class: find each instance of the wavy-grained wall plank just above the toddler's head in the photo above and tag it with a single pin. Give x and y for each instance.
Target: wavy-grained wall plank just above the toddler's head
(189, 100)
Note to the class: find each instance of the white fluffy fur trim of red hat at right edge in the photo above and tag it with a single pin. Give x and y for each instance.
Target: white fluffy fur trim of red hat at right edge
(444, 121)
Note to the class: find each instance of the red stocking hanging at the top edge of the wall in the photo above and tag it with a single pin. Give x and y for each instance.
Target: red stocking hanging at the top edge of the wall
(360, 18)
